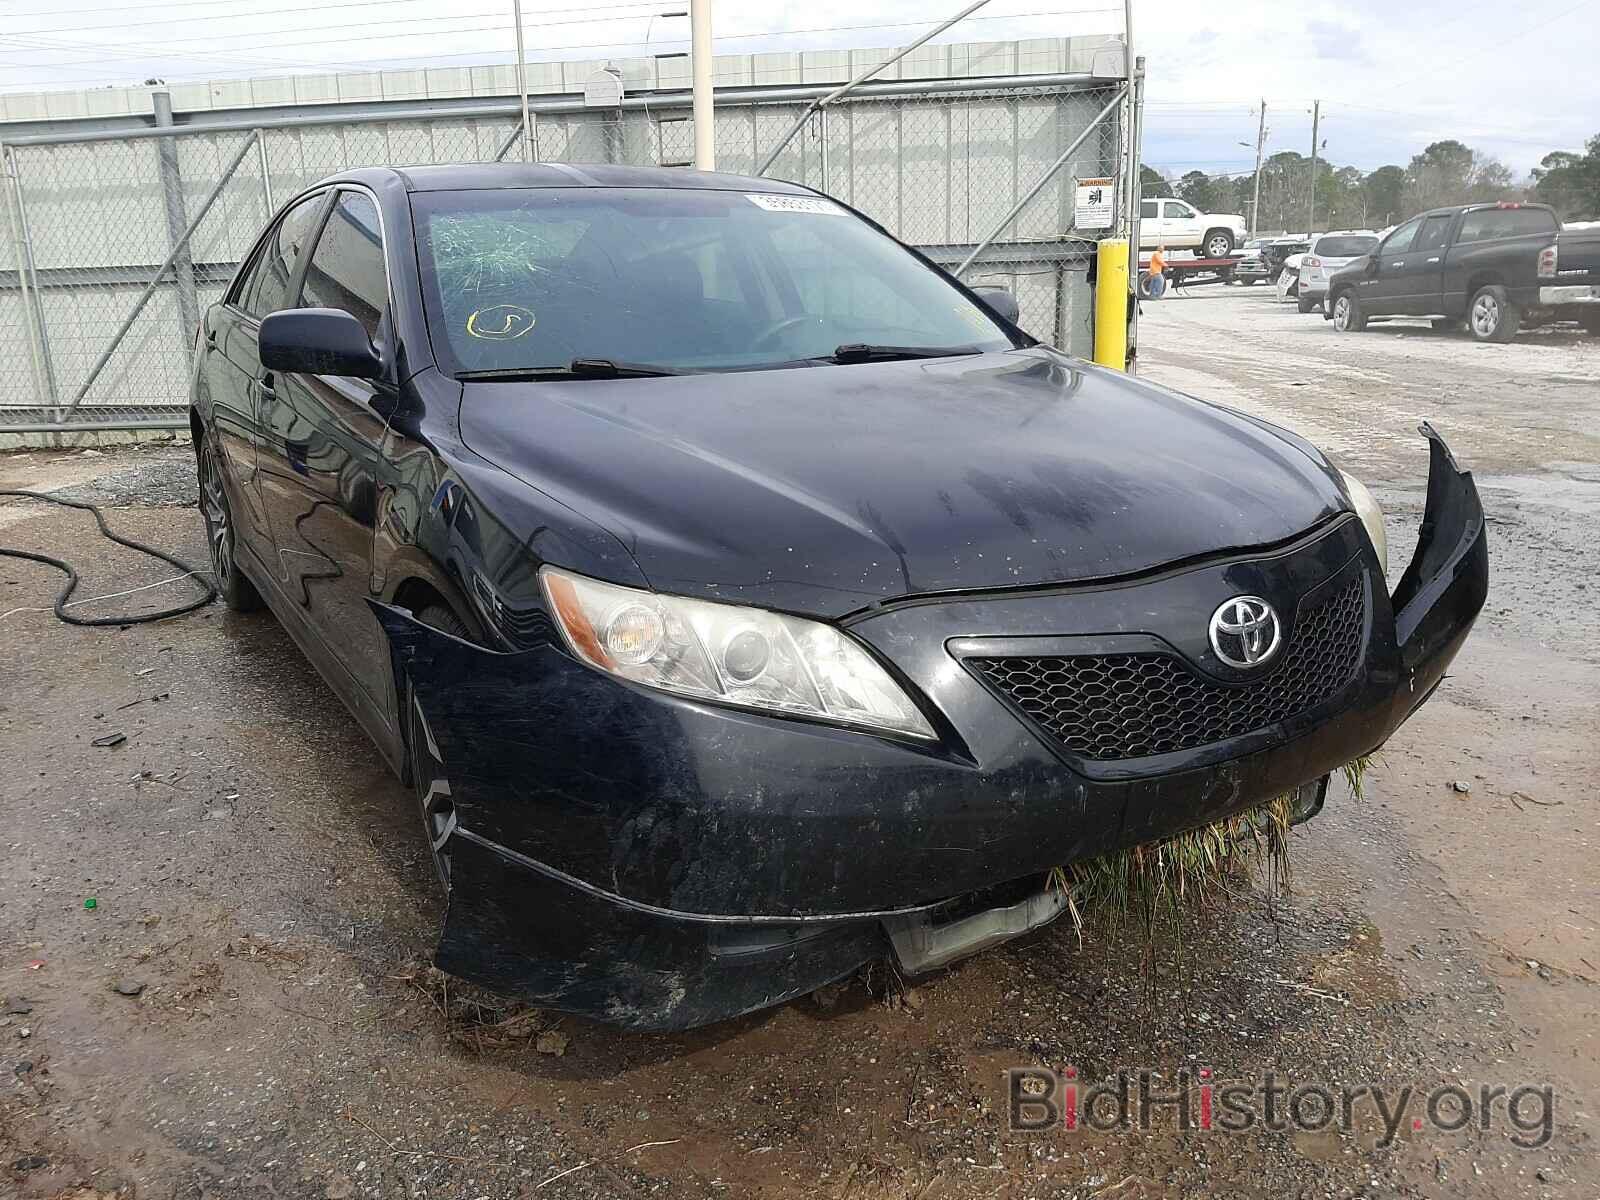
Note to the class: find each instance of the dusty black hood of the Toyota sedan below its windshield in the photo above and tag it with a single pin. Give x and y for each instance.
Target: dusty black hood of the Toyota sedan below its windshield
(826, 490)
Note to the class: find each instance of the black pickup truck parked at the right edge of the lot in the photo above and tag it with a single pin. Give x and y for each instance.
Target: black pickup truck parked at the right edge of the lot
(1492, 266)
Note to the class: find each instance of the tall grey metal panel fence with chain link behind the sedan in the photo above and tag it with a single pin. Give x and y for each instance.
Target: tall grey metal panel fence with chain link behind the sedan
(113, 247)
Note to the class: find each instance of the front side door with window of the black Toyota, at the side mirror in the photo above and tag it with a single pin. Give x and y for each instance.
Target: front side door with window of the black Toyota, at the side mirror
(319, 466)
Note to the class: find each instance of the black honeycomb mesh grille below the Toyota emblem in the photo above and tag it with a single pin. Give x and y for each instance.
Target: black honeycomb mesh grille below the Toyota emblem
(1129, 706)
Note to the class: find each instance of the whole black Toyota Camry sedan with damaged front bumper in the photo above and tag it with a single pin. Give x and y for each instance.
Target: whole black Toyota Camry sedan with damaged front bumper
(746, 601)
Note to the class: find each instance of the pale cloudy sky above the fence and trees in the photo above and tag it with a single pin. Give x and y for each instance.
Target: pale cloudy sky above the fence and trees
(1511, 78)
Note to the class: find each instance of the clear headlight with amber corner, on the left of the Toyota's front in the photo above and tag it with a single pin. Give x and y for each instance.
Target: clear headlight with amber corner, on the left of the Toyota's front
(745, 657)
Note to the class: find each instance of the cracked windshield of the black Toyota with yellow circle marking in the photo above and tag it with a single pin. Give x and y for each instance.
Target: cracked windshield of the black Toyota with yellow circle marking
(535, 279)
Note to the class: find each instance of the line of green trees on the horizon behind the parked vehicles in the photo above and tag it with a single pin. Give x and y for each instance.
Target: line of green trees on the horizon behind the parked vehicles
(1446, 174)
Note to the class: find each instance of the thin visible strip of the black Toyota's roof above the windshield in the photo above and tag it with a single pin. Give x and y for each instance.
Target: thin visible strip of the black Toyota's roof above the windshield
(489, 177)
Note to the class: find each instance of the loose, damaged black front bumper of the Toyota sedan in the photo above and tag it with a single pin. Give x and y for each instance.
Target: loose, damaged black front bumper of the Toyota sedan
(663, 863)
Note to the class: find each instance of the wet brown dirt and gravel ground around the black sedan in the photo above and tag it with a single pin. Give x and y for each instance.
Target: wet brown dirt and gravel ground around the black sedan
(262, 886)
